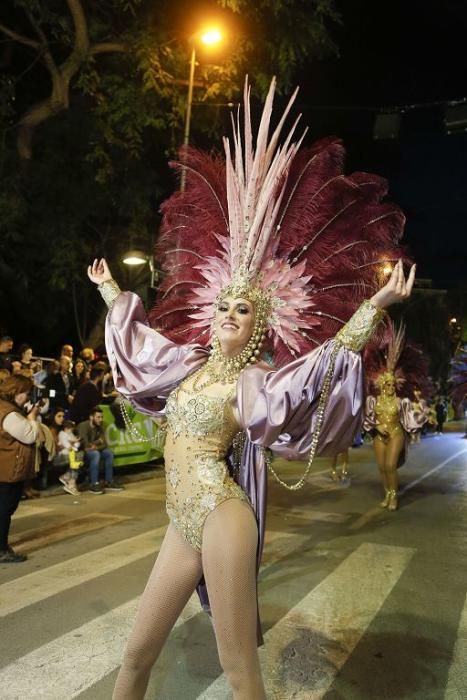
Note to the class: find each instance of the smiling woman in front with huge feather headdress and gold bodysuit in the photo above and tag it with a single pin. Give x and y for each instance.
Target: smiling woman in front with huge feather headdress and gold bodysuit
(271, 249)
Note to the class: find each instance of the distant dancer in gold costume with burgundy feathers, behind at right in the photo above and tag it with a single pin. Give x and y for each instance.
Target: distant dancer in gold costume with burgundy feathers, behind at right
(394, 369)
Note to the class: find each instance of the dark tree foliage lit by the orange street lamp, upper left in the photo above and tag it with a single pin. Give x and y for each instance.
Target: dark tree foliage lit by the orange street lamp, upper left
(92, 105)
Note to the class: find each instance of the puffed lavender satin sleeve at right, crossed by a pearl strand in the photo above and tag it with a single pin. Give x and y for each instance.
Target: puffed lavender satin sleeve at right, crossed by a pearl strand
(278, 408)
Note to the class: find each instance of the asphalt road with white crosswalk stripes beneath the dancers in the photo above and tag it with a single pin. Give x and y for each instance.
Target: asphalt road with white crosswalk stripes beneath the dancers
(356, 602)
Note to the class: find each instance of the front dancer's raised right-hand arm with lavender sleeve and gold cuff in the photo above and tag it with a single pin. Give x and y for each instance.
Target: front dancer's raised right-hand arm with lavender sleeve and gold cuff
(315, 402)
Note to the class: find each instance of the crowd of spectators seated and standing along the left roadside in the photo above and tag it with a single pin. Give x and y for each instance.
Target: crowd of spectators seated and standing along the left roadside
(66, 393)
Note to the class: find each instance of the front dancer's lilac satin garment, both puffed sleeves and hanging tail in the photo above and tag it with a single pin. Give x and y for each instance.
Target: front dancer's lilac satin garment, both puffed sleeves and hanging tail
(276, 408)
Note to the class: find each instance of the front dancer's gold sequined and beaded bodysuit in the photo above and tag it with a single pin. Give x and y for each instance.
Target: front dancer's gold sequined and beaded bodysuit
(200, 429)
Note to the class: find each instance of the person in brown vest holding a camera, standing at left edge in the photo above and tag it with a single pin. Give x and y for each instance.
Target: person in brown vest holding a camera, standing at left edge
(18, 437)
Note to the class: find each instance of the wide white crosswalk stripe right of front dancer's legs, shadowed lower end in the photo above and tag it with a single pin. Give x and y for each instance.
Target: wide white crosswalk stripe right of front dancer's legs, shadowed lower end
(326, 625)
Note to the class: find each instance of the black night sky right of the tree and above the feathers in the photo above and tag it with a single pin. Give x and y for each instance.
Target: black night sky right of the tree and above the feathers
(412, 55)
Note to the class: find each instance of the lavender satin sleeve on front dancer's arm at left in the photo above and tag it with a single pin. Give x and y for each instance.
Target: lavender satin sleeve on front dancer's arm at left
(146, 367)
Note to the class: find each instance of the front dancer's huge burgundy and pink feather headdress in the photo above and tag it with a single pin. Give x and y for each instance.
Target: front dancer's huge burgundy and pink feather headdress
(276, 223)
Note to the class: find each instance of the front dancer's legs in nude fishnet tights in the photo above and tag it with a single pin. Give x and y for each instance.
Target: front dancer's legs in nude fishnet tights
(228, 560)
